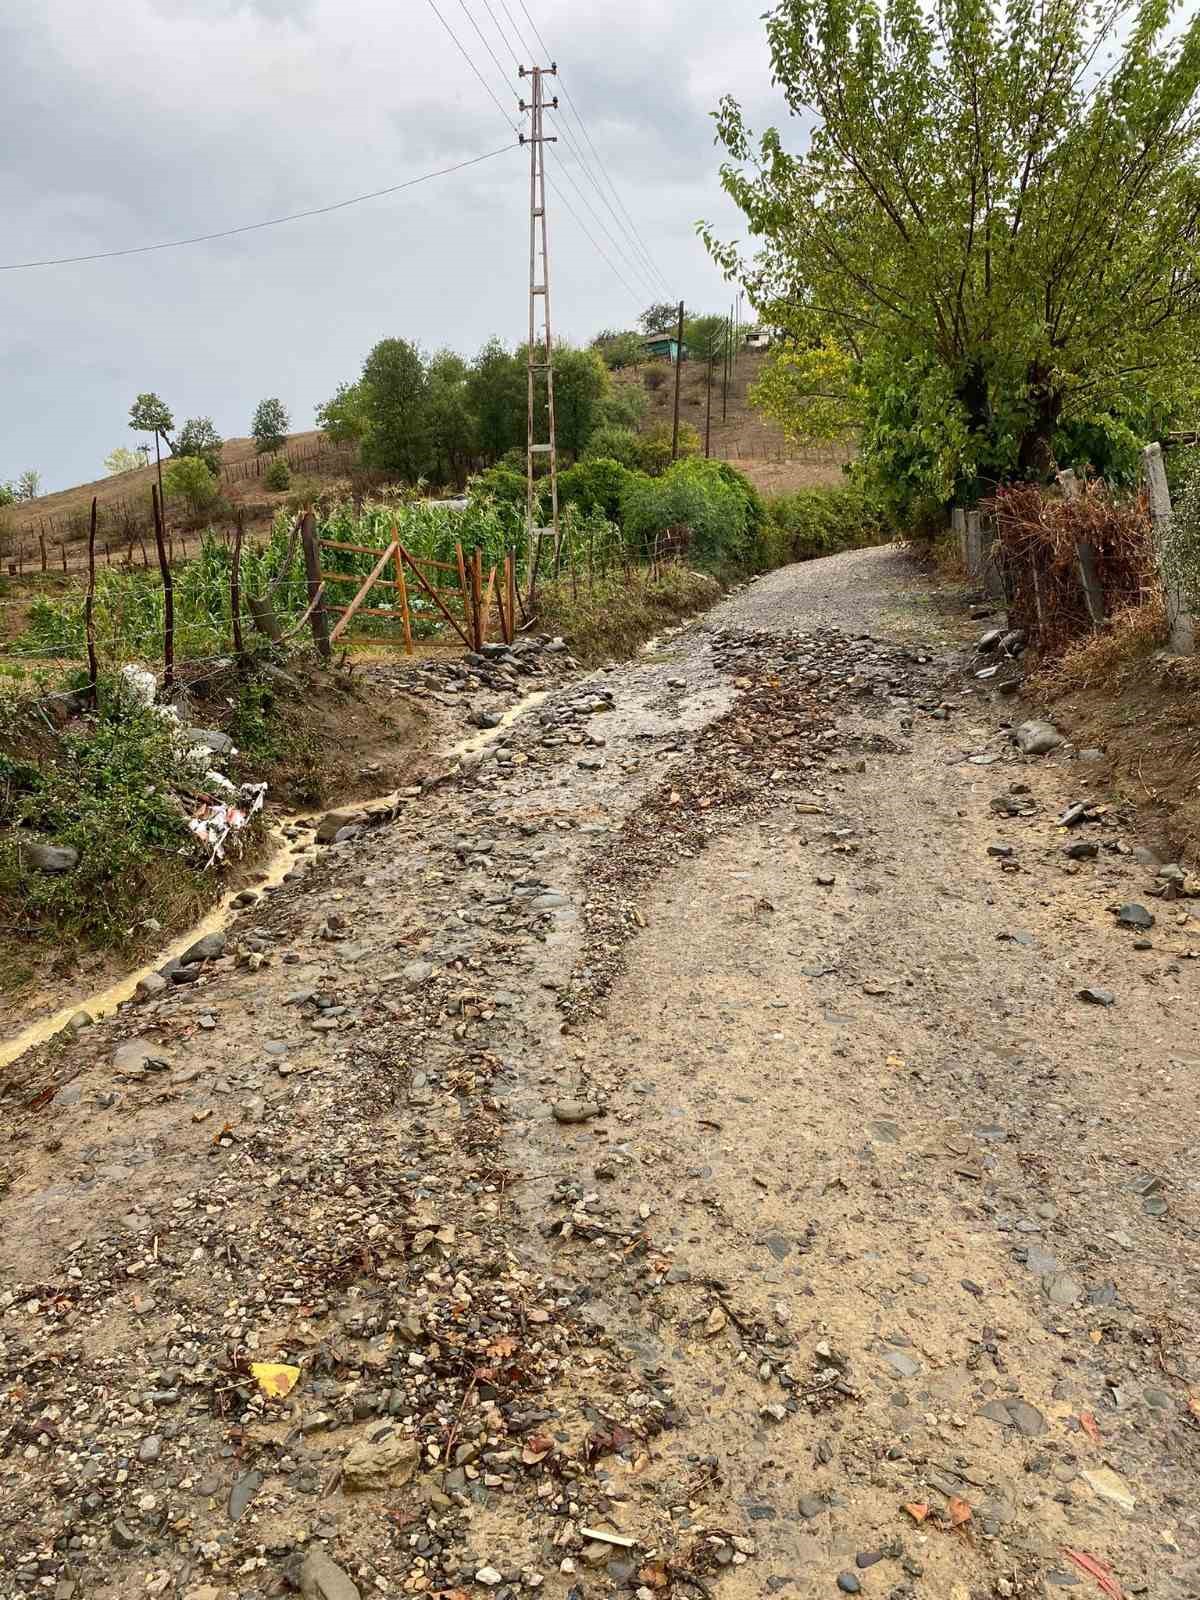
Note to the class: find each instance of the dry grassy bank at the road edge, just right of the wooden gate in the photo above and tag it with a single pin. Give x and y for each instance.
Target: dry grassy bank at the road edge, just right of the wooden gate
(610, 618)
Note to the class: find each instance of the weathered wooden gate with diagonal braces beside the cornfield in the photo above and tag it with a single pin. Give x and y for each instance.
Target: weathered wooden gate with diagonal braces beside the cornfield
(463, 598)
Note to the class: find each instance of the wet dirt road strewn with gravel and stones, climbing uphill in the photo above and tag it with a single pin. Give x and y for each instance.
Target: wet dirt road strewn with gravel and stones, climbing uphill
(671, 1159)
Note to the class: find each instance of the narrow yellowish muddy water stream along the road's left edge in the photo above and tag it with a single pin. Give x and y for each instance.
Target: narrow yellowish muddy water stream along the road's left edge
(284, 854)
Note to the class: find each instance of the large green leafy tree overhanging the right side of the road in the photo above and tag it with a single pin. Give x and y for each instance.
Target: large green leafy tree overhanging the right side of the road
(980, 207)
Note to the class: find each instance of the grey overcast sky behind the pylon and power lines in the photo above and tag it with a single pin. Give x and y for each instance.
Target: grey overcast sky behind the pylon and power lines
(143, 121)
